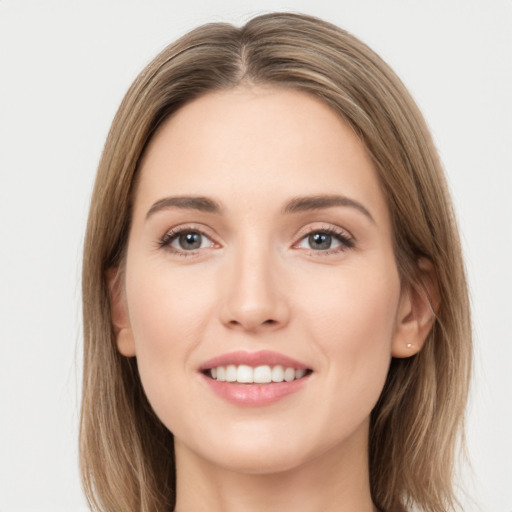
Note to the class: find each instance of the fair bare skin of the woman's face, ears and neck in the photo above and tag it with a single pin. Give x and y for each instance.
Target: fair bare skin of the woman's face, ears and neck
(257, 283)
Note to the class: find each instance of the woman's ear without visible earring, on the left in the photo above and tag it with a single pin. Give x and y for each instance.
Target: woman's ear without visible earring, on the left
(120, 317)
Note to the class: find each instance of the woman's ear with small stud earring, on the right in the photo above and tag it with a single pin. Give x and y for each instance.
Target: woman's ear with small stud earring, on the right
(417, 311)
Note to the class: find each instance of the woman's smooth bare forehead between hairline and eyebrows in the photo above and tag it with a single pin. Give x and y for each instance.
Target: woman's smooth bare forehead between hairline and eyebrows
(258, 143)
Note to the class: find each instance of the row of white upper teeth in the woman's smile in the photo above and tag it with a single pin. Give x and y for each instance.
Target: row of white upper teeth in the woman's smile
(260, 375)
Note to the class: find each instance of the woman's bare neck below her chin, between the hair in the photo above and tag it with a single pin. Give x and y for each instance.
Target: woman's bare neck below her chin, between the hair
(336, 481)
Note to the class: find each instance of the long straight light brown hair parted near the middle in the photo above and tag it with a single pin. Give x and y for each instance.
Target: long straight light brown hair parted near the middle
(126, 453)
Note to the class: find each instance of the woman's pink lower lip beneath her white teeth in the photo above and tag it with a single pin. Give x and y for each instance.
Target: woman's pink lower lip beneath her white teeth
(254, 395)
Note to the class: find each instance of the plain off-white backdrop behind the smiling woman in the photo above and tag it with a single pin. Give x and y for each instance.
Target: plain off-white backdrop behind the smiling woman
(64, 67)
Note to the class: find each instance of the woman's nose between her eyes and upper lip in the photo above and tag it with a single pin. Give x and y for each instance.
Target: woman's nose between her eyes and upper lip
(254, 295)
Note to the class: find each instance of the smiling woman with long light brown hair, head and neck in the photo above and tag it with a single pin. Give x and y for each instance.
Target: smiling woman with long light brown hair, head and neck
(275, 308)
